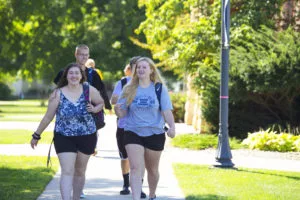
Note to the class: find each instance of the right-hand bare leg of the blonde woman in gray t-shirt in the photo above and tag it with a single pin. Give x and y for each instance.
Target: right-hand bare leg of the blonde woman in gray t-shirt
(152, 165)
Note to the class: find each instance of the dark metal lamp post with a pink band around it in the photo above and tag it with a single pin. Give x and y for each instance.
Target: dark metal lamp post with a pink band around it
(223, 155)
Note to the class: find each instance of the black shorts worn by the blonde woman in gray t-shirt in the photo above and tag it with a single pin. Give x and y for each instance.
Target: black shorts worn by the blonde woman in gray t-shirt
(153, 142)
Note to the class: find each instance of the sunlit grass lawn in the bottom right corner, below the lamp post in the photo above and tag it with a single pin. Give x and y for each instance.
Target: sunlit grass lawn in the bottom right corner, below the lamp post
(201, 182)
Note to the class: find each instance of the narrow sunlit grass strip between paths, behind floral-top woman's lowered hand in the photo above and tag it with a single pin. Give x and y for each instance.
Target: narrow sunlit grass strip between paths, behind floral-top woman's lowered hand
(22, 137)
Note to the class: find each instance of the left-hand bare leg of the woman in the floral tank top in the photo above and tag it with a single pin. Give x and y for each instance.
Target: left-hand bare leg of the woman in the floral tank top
(67, 163)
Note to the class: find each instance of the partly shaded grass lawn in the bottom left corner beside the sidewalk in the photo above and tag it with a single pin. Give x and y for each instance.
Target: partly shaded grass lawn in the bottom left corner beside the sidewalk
(24, 177)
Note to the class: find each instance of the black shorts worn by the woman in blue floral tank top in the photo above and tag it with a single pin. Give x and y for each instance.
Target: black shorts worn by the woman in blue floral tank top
(85, 144)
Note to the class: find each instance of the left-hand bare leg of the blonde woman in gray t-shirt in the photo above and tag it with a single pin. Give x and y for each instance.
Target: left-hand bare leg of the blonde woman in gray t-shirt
(137, 164)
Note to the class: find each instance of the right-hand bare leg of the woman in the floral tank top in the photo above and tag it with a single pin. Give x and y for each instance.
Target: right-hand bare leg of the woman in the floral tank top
(79, 175)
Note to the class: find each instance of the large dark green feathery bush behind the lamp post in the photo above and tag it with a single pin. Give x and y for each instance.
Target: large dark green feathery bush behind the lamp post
(263, 82)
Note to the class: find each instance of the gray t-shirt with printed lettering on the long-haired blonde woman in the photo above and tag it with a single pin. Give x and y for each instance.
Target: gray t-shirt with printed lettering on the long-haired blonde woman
(143, 115)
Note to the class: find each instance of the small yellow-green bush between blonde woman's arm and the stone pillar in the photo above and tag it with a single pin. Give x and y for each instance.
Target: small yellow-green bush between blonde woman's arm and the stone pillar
(178, 101)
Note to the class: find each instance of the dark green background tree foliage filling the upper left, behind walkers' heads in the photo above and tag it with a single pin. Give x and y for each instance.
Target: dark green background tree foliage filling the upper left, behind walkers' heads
(39, 37)
